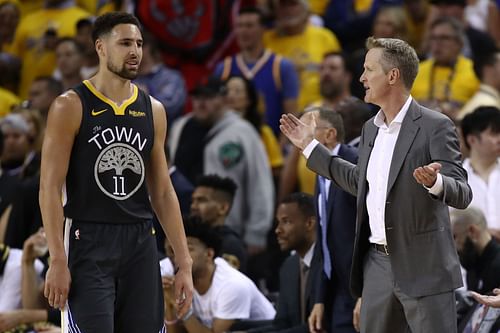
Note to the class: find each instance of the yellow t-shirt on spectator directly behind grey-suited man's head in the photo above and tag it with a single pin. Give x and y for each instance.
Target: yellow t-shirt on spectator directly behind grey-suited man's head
(459, 90)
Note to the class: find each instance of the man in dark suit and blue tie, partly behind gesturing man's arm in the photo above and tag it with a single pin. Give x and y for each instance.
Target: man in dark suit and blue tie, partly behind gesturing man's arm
(336, 211)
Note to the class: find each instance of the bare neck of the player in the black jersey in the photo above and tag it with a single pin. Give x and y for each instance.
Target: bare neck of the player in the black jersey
(112, 86)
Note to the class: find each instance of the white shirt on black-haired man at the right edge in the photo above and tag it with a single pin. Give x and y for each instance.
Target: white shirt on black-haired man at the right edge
(485, 195)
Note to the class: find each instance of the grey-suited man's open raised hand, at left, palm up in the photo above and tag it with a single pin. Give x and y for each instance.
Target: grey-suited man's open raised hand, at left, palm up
(299, 131)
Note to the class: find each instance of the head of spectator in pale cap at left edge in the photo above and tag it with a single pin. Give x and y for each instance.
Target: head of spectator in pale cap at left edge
(17, 144)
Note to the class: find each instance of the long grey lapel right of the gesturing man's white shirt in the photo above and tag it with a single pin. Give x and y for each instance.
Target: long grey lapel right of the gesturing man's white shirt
(407, 134)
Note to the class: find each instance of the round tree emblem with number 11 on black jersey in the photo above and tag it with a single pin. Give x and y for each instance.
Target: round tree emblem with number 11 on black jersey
(119, 171)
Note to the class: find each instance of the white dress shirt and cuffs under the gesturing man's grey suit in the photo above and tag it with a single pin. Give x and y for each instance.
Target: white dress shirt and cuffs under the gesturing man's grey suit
(378, 171)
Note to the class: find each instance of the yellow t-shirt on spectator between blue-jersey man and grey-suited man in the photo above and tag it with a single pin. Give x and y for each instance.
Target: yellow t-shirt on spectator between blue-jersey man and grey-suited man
(306, 51)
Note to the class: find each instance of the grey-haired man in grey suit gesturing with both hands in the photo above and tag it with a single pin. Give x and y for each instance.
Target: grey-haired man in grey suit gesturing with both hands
(405, 264)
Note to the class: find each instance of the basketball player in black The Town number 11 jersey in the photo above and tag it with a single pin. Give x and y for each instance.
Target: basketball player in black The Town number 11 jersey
(104, 144)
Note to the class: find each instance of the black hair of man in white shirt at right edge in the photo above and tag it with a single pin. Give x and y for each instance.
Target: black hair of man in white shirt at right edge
(483, 118)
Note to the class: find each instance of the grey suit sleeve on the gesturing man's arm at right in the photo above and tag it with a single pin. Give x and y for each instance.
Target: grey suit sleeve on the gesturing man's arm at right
(445, 149)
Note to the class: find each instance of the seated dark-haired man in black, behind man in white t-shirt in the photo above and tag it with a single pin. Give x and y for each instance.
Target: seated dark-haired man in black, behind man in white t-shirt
(212, 201)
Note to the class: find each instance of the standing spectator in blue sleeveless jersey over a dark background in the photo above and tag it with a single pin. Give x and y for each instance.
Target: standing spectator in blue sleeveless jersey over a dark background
(274, 77)
